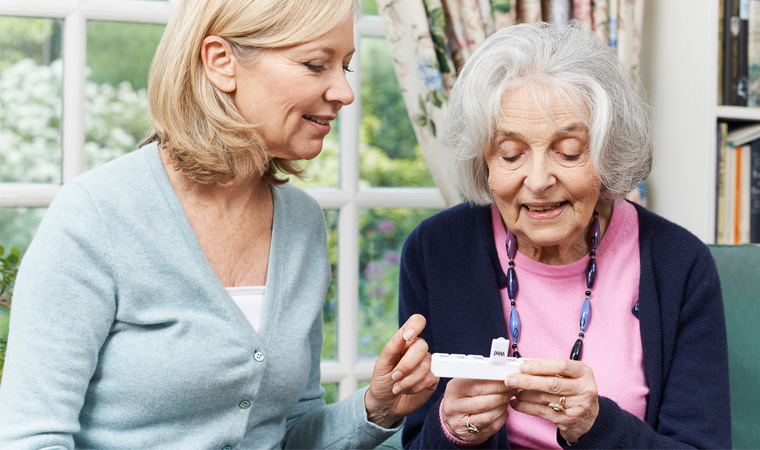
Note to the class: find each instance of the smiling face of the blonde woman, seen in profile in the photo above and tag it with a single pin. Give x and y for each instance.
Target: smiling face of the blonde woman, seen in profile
(294, 93)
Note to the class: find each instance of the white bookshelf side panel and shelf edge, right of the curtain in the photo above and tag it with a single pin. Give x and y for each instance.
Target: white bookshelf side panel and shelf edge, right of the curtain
(680, 74)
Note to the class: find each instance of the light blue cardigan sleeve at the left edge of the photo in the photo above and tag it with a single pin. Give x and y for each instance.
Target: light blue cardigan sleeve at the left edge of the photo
(63, 308)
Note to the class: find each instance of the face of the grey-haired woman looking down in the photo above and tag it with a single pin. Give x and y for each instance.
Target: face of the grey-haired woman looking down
(540, 172)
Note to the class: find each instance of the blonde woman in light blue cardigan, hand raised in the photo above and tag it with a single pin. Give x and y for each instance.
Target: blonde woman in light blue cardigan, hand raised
(172, 298)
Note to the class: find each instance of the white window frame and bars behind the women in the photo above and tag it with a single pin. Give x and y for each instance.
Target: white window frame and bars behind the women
(349, 199)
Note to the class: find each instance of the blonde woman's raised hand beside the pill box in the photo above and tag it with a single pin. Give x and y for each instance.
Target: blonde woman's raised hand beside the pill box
(402, 380)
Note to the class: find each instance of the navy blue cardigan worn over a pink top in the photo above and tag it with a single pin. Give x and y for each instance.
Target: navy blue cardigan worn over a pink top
(450, 273)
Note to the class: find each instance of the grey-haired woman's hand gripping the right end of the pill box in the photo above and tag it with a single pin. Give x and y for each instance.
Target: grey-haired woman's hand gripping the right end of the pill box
(547, 381)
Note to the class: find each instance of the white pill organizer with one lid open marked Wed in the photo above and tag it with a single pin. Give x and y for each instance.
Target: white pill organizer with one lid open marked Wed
(477, 367)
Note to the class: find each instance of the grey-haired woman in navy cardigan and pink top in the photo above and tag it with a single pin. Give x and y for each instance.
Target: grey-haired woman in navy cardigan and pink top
(618, 311)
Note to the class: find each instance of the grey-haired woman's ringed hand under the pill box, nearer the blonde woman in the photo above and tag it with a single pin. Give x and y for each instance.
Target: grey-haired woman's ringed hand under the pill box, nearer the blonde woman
(480, 405)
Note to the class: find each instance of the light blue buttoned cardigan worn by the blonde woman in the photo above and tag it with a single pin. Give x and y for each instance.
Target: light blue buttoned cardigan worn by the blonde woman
(122, 336)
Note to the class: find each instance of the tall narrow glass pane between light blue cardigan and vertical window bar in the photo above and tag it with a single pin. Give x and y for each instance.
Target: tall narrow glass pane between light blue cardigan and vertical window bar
(330, 308)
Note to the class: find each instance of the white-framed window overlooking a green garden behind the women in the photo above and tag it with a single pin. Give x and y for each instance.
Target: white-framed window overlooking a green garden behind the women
(371, 179)
